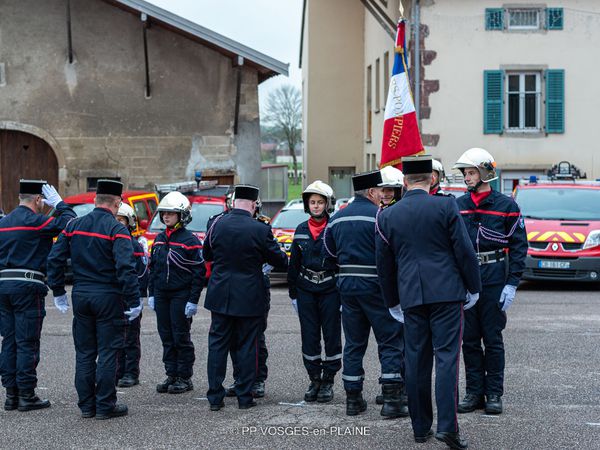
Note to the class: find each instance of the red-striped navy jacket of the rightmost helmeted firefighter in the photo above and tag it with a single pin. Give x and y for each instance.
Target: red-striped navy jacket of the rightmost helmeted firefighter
(501, 214)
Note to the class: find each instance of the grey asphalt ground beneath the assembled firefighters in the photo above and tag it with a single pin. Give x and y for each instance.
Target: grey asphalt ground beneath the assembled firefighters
(551, 392)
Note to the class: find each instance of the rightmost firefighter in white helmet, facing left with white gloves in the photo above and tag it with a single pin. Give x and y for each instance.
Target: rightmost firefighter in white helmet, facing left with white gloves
(497, 232)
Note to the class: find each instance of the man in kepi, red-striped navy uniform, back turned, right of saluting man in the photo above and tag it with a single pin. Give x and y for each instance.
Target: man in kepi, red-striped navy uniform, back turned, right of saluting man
(106, 293)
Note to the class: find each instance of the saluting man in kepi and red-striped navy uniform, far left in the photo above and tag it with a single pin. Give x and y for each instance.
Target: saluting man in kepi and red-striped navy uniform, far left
(25, 241)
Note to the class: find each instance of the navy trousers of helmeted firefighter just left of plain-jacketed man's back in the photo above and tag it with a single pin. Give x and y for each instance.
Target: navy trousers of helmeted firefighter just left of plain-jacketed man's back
(174, 330)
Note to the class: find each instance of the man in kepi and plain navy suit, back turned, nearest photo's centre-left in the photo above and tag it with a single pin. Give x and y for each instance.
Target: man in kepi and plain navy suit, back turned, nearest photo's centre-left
(238, 246)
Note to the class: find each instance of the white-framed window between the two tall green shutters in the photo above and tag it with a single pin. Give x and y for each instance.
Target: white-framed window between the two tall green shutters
(523, 101)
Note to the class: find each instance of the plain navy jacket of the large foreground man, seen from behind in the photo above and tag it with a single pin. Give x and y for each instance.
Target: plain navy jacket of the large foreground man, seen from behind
(424, 254)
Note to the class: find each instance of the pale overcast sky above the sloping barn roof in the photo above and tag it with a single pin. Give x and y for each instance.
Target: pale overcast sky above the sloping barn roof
(270, 26)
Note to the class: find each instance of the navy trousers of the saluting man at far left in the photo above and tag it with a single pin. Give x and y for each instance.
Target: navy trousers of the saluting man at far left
(21, 318)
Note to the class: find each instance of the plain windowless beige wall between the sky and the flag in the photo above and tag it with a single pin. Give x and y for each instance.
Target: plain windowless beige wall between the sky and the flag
(333, 75)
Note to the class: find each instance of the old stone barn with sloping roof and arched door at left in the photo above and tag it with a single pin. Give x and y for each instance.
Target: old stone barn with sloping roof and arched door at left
(123, 89)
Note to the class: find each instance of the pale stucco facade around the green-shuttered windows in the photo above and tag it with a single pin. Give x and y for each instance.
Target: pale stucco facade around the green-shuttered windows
(465, 49)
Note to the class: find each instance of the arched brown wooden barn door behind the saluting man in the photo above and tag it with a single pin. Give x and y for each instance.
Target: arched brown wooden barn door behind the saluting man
(25, 156)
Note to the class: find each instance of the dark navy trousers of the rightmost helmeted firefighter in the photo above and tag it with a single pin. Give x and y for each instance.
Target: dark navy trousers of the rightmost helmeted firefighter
(484, 368)
